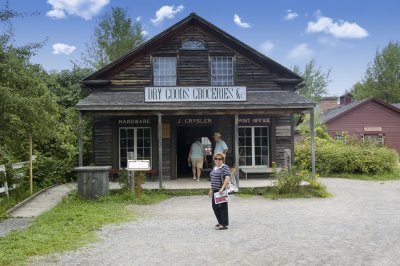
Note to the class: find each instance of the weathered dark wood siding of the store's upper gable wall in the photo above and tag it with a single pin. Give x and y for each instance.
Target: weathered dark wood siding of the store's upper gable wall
(193, 67)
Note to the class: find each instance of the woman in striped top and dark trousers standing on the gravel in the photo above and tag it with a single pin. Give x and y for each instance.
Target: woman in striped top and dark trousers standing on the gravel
(220, 177)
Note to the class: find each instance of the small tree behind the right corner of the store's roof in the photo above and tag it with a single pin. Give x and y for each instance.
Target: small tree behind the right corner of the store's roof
(315, 81)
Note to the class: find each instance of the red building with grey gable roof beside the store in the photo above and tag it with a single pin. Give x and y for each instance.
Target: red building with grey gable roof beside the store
(369, 119)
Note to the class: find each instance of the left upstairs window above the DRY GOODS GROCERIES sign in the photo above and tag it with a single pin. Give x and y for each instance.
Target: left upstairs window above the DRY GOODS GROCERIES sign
(164, 71)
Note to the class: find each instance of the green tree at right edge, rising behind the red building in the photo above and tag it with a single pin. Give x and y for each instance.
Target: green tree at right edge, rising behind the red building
(382, 78)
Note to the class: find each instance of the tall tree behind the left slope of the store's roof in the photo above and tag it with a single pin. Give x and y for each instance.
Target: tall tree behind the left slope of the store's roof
(114, 36)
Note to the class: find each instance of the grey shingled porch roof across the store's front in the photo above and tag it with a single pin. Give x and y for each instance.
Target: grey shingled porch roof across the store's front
(134, 101)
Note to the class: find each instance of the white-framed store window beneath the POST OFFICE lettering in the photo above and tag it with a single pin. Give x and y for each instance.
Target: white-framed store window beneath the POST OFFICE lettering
(253, 146)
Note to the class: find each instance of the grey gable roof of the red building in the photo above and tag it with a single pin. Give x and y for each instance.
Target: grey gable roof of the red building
(335, 113)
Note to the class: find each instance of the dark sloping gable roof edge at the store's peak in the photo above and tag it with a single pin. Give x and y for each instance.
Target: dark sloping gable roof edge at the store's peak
(289, 77)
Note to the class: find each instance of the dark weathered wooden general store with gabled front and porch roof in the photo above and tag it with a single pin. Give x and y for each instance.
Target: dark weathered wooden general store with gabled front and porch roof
(192, 80)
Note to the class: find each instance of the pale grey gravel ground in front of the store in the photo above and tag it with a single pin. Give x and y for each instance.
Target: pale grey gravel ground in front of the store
(359, 225)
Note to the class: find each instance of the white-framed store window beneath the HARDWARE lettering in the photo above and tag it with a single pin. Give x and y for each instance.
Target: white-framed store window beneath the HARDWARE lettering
(136, 140)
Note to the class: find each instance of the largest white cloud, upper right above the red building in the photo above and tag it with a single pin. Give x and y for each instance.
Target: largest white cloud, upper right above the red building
(339, 29)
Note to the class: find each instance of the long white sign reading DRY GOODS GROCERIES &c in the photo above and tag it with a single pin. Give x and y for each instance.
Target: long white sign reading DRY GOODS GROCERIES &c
(195, 94)
